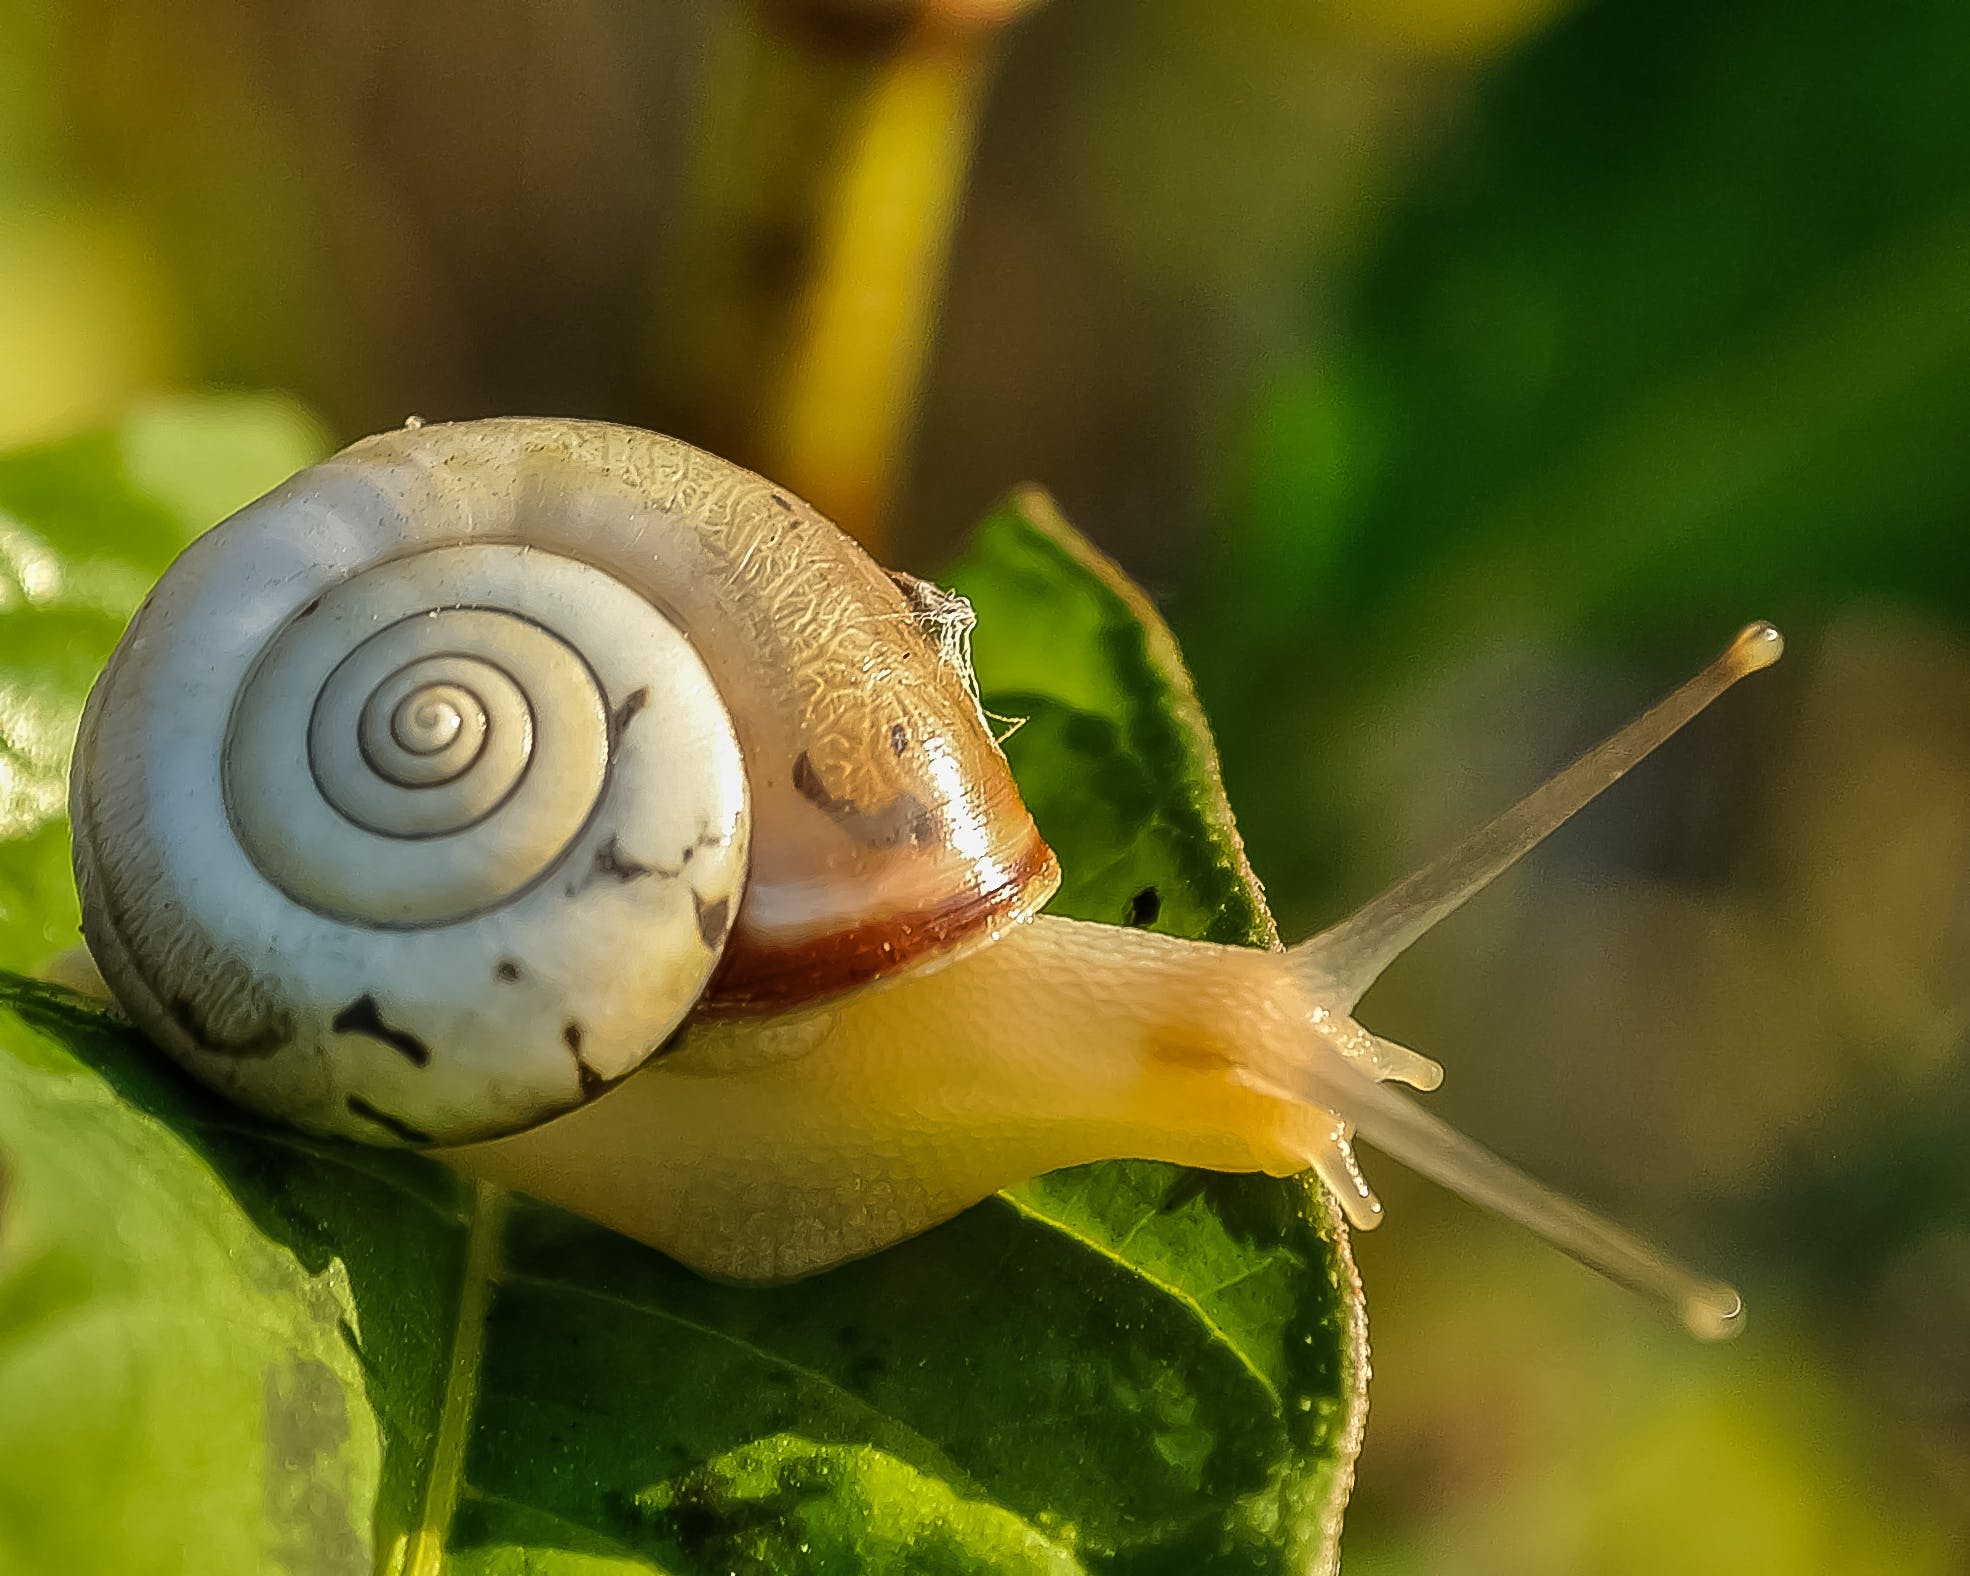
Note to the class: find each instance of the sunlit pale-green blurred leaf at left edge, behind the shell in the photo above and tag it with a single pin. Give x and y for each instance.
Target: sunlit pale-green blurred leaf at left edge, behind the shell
(86, 527)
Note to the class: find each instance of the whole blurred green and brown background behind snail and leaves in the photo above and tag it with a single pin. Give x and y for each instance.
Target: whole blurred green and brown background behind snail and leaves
(1457, 373)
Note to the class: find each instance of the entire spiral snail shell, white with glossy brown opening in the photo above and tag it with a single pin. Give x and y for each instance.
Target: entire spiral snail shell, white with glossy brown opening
(434, 791)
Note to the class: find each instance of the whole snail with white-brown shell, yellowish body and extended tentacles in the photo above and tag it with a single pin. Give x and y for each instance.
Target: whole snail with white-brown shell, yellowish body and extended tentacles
(596, 815)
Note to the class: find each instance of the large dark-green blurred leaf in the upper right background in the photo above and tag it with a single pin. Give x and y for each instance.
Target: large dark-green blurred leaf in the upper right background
(1674, 324)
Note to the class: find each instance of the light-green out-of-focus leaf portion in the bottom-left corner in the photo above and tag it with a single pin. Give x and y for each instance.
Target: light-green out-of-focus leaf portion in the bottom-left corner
(174, 1366)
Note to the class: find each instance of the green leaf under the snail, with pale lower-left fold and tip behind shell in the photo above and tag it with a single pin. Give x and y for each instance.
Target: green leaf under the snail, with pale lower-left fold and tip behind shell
(235, 1350)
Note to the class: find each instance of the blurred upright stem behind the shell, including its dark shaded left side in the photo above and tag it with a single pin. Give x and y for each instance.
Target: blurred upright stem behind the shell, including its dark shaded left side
(805, 277)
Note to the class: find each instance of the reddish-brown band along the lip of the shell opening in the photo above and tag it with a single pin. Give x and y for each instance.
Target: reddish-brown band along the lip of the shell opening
(765, 976)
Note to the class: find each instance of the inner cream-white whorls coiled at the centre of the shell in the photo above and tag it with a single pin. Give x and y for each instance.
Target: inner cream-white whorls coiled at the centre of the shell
(401, 759)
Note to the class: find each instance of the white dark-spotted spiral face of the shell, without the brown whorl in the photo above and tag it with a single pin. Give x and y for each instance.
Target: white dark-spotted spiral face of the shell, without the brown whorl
(397, 828)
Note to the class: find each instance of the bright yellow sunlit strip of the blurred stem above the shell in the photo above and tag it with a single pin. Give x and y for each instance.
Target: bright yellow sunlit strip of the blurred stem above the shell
(862, 330)
